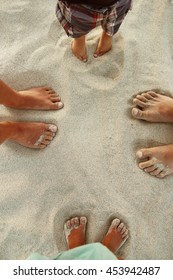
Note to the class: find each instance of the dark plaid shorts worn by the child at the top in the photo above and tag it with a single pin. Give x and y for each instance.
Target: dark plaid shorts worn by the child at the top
(78, 19)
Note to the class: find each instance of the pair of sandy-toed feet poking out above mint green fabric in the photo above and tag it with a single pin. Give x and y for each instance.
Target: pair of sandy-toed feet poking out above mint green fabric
(75, 232)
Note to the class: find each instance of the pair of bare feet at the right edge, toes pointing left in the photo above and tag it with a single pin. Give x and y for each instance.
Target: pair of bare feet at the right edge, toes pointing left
(154, 107)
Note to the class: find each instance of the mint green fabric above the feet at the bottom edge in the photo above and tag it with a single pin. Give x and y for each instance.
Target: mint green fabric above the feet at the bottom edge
(93, 251)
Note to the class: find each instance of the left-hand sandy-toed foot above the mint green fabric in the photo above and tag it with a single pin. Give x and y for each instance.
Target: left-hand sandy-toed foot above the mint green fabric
(75, 230)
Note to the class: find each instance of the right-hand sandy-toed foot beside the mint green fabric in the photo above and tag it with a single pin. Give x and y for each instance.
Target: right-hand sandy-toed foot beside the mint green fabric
(116, 236)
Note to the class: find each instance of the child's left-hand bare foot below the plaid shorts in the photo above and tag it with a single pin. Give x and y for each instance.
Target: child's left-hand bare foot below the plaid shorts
(79, 48)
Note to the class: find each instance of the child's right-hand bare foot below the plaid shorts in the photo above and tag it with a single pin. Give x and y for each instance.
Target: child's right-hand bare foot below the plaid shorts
(104, 45)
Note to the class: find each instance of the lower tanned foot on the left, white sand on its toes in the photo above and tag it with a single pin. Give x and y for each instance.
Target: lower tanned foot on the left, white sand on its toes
(31, 135)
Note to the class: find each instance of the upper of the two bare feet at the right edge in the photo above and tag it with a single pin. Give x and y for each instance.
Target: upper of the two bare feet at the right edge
(153, 107)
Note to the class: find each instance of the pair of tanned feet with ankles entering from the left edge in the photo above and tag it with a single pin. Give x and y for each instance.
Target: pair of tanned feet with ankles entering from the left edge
(35, 135)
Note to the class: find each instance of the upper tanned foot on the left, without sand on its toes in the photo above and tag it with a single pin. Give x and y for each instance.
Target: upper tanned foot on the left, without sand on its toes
(40, 98)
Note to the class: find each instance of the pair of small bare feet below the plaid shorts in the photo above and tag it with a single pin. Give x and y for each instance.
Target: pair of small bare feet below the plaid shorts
(80, 51)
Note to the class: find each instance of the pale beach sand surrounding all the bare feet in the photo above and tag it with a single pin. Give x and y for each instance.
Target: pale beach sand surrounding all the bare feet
(89, 169)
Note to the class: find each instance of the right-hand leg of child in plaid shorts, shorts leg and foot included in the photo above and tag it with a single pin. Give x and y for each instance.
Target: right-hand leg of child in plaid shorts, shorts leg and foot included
(110, 24)
